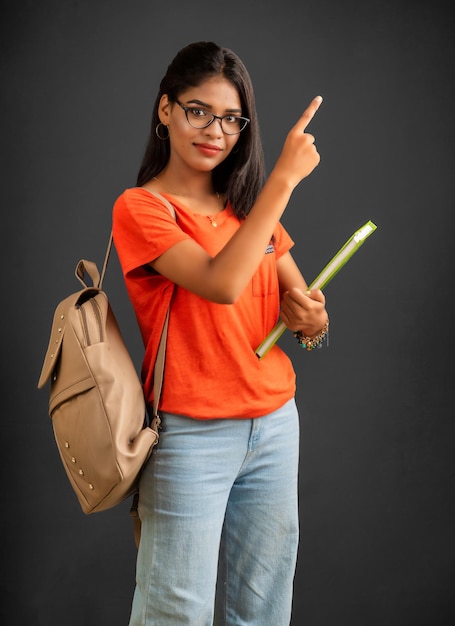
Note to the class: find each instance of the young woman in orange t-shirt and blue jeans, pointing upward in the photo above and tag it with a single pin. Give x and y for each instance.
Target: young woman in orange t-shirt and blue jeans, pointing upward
(218, 498)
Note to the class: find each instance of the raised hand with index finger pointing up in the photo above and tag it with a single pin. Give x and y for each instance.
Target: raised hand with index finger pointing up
(299, 156)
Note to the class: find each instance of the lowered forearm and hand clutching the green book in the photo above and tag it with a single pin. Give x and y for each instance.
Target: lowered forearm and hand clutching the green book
(300, 309)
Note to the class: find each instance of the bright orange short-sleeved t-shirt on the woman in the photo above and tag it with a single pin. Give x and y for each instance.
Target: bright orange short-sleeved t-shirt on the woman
(211, 369)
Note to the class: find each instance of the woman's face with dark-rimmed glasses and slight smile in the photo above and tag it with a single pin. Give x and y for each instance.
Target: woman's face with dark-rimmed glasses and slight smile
(201, 149)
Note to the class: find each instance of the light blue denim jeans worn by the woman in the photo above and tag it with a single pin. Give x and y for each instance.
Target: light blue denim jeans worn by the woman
(219, 511)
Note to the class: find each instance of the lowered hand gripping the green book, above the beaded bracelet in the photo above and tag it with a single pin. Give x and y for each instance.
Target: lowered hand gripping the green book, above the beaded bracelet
(304, 311)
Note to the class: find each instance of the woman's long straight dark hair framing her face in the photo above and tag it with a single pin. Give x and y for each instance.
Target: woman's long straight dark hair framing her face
(241, 175)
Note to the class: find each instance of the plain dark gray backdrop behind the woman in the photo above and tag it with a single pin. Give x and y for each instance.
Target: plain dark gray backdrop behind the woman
(377, 514)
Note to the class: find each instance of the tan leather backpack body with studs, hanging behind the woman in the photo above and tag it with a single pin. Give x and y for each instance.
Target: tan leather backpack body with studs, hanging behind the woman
(96, 402)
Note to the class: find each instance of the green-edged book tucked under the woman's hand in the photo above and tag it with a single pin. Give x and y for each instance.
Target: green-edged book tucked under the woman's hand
(329, 271)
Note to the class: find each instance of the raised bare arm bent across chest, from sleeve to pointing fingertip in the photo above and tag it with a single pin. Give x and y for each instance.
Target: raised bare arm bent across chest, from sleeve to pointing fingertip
(222, 278)
